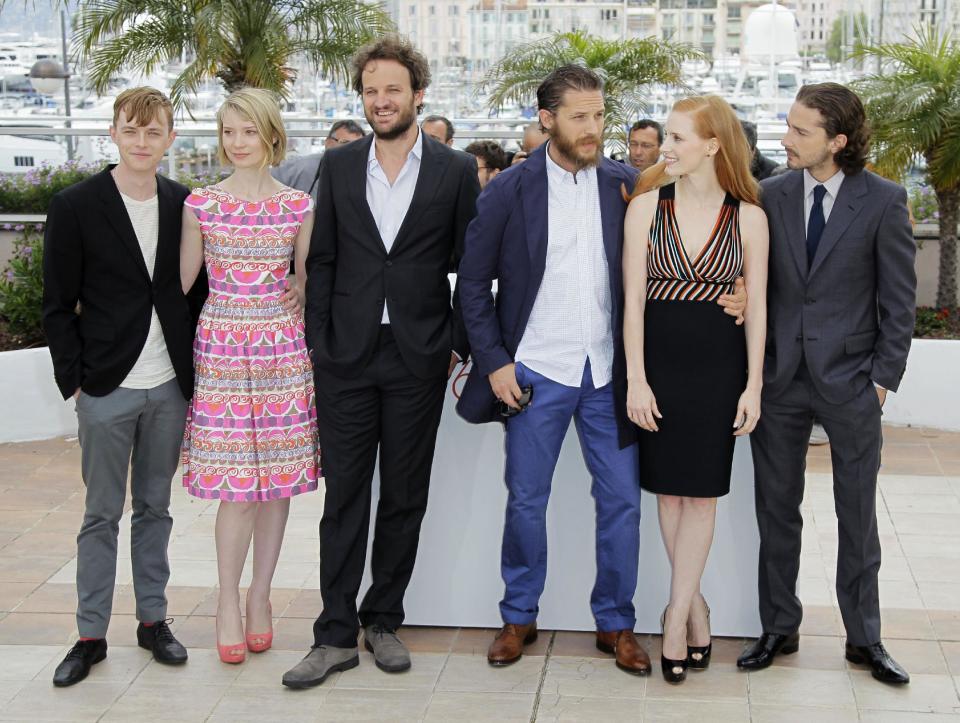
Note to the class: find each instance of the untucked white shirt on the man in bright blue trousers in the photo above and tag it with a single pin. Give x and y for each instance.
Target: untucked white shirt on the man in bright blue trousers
(571, 318)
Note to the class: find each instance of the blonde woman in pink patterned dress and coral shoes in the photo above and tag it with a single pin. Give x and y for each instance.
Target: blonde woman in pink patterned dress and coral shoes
(251, 436)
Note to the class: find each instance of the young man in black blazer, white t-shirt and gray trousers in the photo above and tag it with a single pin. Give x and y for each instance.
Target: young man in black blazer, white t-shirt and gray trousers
(120, 333)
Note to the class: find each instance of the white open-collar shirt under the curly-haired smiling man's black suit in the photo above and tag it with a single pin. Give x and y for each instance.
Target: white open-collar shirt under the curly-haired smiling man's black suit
(389, 204)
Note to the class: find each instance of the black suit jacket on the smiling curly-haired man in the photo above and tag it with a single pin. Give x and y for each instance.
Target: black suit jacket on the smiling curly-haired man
(350, 275)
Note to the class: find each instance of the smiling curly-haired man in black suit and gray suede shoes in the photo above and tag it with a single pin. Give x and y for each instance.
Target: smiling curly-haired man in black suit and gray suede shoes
(392, 211)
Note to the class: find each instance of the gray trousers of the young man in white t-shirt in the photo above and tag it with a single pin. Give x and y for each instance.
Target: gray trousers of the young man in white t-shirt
(141, 431)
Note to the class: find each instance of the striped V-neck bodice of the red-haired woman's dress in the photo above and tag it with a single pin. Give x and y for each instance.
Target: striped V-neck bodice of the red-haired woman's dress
(672, 275)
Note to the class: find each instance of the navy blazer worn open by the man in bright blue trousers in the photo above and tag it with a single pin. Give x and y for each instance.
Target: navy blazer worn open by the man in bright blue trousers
(507, 241)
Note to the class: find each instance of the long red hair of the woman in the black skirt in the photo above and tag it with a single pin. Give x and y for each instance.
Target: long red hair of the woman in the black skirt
(713, 118)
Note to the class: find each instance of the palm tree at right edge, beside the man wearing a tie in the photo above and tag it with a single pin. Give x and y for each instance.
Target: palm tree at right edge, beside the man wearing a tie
(914, 109)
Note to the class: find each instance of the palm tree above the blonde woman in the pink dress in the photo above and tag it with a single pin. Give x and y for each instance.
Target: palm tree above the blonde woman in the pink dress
(240, 42)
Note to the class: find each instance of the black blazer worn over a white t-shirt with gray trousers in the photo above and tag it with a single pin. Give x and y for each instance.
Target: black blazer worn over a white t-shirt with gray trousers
(92, 256)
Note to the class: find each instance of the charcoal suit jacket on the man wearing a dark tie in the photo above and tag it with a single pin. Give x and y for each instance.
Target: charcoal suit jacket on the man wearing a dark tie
(851, 315)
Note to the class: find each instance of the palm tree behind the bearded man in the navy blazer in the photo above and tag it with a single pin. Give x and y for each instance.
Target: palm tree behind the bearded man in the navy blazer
(627, 67)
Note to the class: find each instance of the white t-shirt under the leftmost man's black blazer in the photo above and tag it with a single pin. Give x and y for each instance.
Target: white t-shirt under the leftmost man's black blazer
(153, 366)
